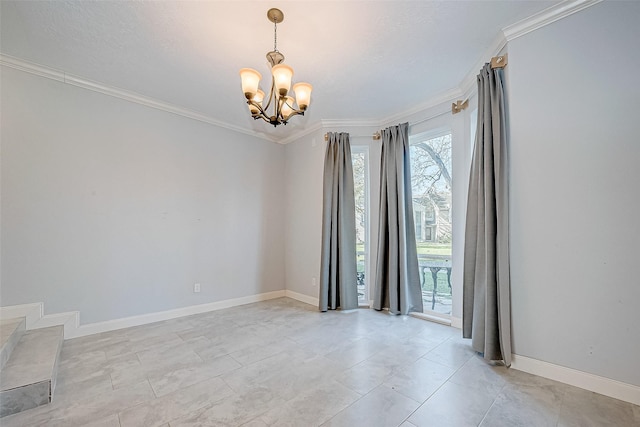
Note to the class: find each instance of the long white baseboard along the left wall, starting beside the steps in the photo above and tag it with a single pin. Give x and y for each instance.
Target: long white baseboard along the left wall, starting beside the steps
(143, 319)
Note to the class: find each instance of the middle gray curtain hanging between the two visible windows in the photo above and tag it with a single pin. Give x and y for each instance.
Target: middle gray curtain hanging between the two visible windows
(397, 285)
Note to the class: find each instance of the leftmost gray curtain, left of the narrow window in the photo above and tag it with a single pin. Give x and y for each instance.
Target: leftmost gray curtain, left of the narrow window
(338, 288)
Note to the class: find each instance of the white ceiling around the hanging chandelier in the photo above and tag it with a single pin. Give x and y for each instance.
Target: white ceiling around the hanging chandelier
(366, 60)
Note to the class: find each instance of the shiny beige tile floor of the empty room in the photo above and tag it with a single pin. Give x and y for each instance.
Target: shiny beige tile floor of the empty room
(283, 363)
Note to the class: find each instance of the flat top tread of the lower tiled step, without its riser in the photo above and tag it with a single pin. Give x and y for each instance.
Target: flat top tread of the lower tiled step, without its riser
(33, 359)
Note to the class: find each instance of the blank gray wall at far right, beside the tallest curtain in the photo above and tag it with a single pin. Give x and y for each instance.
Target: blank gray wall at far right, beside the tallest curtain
(575, 191)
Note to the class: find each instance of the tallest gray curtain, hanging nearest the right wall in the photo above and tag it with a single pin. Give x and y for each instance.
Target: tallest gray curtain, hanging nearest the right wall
(486, 288)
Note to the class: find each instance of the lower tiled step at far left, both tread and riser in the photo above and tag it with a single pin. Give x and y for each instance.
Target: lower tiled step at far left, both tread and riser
(28, 379)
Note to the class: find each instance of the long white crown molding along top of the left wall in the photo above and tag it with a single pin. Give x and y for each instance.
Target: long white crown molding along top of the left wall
(61, 76)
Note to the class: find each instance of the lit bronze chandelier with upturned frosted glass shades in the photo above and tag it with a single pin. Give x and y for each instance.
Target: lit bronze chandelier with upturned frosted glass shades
(281, 74)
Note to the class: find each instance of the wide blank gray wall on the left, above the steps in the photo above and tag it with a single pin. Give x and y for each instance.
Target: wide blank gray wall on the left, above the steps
(116, 209)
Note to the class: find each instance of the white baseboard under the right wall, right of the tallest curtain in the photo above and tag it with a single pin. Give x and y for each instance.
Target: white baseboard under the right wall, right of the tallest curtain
(601, 385)
